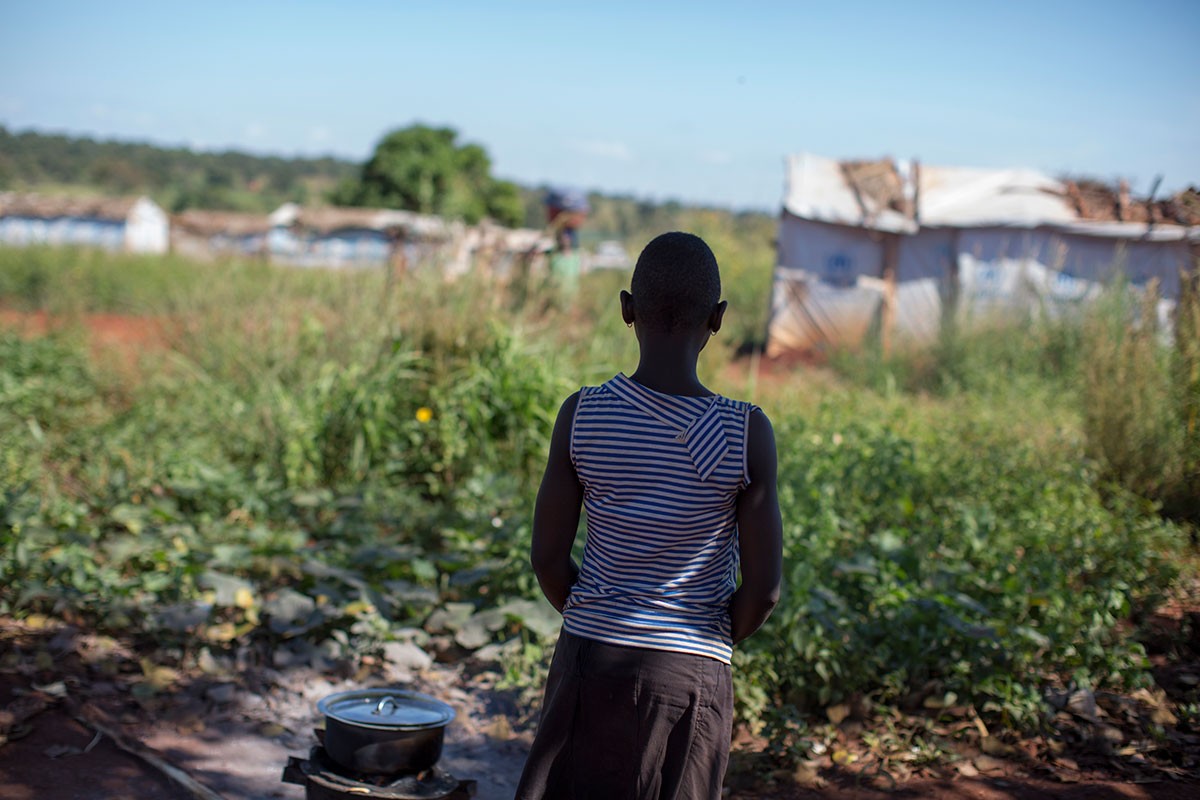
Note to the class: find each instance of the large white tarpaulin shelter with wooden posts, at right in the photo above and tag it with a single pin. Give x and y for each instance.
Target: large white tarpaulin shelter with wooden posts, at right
(866, 244)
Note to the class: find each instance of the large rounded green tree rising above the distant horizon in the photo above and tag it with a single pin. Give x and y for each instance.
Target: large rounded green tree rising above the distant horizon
(425, 170)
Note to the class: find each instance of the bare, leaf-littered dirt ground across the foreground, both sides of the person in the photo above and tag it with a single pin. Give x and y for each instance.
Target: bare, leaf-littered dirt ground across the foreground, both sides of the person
(233, 735)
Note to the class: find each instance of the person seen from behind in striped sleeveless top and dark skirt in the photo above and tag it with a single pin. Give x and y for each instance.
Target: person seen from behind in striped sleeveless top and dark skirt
(680, 491)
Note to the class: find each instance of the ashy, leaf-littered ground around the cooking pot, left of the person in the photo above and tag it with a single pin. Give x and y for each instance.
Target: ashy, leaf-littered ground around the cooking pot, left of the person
(232, 737)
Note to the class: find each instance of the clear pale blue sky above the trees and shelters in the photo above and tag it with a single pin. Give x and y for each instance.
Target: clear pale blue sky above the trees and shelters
(693, 101)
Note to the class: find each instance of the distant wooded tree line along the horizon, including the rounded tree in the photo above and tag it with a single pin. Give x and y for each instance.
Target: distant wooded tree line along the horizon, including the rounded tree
(421, 169)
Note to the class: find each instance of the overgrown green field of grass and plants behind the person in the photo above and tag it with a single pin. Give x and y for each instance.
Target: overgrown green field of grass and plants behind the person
(229, 456)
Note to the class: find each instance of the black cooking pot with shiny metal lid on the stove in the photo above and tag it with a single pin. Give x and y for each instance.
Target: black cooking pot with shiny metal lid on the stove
(385, 731)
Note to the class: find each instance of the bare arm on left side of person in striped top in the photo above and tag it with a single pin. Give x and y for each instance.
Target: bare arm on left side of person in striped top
(556, 514)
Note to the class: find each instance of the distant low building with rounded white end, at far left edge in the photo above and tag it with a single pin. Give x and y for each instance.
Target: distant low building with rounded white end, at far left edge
(130, 225)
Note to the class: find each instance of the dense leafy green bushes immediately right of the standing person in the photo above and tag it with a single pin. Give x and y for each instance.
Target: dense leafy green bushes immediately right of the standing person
(970, 564)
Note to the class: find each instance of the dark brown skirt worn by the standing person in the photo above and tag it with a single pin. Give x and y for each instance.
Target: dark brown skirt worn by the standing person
(628, 724)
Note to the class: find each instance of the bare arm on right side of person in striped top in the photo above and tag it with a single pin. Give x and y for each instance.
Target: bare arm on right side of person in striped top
(760, 534)
